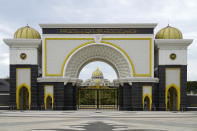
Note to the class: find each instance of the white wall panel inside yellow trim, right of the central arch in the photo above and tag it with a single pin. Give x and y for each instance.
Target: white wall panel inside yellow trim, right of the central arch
(139, 53)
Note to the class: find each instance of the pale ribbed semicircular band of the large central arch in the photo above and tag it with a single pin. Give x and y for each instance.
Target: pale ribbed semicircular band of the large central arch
(98, 52)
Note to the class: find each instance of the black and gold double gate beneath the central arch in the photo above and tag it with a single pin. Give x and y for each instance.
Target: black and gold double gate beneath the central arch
(97, 98)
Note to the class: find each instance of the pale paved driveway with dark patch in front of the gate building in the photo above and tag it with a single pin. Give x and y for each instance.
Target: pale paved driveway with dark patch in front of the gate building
(100, 120)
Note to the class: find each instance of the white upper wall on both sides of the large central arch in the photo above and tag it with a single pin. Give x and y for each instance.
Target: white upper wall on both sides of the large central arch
(137, 50)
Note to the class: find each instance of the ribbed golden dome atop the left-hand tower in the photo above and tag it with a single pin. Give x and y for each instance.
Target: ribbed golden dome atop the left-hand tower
(26, 33)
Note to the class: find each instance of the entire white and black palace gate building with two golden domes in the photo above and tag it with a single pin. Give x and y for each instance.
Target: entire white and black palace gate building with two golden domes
(151, 68)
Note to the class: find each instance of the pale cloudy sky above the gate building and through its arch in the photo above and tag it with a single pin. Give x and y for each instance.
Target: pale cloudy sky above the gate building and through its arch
(181, 14)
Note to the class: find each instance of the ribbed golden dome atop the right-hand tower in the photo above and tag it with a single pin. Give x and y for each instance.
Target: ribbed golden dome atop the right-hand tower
(169, 33)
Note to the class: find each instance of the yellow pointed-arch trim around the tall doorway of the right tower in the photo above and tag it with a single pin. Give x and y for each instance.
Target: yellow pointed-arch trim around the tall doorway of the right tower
(178, 95)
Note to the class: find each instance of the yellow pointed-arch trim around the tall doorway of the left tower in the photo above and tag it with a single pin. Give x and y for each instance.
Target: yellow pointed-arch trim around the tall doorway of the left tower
(18, 93)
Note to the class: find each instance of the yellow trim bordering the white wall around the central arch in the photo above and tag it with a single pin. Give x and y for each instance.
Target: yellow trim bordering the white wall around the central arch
(92, 41)
